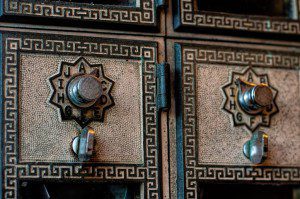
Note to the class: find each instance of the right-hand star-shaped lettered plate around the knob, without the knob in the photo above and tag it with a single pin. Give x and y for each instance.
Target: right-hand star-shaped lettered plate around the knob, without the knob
(231, 104)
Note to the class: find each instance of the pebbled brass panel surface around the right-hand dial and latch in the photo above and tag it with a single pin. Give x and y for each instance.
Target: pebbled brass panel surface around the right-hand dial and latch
(221, 144)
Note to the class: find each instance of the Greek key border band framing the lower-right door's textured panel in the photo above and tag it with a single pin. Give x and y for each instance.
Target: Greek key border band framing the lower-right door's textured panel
(194, 172)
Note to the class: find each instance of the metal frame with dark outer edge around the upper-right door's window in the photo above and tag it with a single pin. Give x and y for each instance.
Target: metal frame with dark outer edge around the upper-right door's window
(187, 19)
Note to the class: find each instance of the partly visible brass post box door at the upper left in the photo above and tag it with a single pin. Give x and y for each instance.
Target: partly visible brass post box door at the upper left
(112, 14)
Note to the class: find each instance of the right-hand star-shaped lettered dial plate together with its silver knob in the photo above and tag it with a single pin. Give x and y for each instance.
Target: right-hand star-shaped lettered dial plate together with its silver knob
(250, 99)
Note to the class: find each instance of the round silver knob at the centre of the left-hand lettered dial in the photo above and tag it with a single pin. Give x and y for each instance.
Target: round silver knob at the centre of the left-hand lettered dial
(84, 90)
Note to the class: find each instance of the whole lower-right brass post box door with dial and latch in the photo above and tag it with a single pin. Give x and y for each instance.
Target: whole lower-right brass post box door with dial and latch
(221, 138)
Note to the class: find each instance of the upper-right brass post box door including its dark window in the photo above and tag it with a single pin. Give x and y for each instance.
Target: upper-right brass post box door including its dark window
(270, 17)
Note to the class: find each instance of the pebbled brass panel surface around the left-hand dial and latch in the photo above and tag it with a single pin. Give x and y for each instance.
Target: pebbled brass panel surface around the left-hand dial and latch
(43, 137)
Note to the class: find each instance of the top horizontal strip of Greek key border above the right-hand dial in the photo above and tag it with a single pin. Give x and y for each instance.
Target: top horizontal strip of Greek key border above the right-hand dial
(240, 56)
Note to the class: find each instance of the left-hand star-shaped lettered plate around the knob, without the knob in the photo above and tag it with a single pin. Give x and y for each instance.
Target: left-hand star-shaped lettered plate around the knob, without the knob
(60, 98)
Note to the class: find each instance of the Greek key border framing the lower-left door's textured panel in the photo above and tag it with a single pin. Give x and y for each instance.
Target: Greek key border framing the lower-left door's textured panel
(13, 45)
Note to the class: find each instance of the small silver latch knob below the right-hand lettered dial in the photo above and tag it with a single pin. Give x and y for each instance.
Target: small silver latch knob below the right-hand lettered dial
(256, 149)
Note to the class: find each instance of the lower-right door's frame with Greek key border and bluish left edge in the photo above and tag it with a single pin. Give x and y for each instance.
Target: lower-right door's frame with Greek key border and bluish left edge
(189, 172)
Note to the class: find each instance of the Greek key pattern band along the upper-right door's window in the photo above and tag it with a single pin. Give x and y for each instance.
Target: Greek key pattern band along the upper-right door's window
(188, 17)
